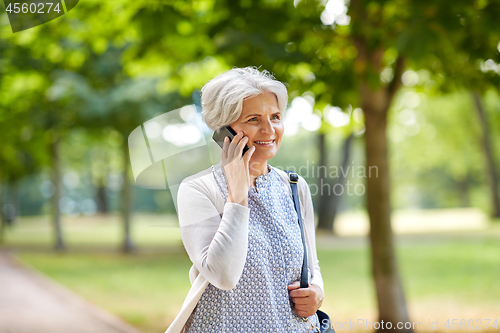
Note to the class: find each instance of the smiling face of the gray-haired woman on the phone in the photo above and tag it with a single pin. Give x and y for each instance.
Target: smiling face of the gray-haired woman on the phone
(260, 121)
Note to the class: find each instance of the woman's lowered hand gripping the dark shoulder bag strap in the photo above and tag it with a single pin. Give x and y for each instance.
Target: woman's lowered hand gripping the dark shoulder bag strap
(306, 301)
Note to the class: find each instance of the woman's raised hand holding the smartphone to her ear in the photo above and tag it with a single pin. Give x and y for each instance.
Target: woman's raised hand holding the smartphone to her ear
(235, 168)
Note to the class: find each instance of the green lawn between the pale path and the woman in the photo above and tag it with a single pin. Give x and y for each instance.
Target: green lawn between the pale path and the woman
(145, 290)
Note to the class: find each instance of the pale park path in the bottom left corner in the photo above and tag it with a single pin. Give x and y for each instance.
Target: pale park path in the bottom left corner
(30, 302)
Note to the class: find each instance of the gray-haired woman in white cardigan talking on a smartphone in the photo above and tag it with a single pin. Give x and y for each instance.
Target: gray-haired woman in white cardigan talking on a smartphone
(238, 221)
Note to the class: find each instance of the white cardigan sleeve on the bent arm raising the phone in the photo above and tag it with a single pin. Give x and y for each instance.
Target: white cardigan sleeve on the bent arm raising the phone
(216, 243)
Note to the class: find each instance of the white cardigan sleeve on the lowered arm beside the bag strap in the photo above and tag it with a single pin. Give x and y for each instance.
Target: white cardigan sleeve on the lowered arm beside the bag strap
(309, 230)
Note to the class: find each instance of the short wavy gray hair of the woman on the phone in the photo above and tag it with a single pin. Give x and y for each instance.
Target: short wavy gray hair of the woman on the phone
(222, 97)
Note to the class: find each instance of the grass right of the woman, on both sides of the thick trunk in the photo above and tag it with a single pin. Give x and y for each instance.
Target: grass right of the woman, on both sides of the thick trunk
(444, 276)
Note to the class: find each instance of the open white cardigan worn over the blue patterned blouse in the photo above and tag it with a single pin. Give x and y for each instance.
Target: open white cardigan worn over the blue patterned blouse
(215, 235)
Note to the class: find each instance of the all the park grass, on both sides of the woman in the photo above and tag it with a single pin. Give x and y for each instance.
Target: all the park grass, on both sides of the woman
(445, 275)
